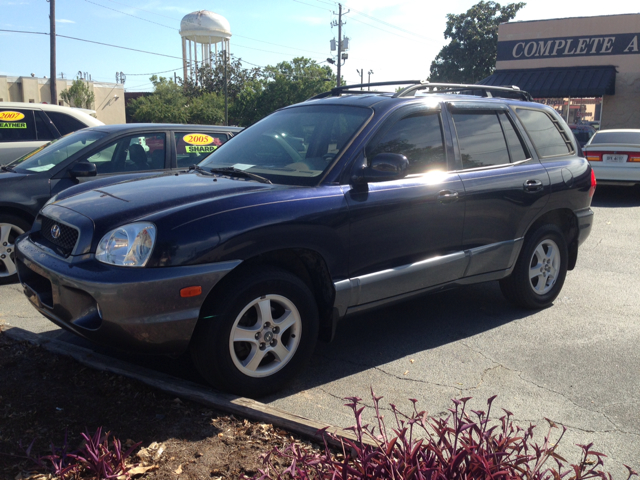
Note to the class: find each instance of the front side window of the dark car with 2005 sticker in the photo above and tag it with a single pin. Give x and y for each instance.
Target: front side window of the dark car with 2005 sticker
(131, 154)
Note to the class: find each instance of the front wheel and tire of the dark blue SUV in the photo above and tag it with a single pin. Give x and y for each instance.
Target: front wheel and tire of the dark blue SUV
(260, 332)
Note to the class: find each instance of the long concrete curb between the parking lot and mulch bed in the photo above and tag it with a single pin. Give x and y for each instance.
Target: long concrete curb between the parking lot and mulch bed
(241, 406)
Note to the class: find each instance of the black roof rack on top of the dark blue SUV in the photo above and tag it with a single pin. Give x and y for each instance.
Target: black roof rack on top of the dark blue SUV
(417, 85)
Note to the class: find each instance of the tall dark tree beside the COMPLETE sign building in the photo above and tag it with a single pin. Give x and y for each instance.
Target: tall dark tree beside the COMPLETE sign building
(470, 56)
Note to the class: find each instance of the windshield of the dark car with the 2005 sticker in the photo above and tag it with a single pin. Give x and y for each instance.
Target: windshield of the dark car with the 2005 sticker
(51, 154)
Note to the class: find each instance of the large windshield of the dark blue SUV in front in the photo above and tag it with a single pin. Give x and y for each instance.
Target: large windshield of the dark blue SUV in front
(292, 146)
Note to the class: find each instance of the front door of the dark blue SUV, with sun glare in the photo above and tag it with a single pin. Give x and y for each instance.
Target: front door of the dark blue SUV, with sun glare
(406, 234)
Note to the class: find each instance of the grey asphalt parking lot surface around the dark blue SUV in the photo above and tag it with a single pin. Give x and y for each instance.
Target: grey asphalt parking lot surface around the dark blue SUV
(576, 363)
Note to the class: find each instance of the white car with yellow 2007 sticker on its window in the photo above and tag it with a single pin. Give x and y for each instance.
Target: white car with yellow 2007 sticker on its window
(26, 126)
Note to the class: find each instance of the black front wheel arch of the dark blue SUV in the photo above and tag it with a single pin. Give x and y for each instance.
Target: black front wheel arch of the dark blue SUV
(308, 265)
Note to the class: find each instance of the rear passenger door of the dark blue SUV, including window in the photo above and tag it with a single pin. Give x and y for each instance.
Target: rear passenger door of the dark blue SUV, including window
(505, 186)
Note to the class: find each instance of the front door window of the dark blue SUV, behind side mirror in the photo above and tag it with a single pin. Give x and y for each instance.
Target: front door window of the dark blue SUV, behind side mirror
(418, 137)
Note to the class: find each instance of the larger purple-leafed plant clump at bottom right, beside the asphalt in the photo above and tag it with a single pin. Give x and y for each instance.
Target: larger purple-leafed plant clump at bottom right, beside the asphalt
(465, 445)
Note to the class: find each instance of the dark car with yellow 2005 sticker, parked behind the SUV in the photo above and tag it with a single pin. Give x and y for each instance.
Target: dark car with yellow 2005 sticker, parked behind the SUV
(89, 154)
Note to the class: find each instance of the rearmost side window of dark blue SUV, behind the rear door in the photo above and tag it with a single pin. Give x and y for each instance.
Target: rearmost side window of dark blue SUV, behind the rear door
(544, 132)
